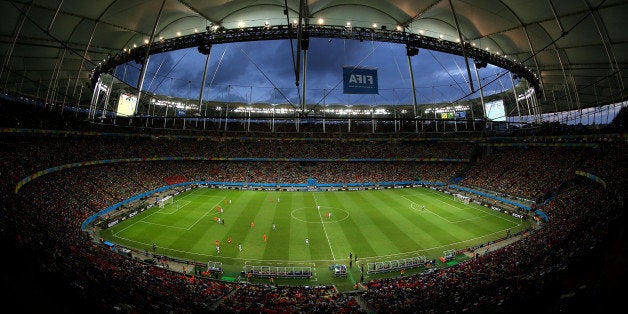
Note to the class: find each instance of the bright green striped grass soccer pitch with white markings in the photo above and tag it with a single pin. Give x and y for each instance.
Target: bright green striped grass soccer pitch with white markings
(375, 225)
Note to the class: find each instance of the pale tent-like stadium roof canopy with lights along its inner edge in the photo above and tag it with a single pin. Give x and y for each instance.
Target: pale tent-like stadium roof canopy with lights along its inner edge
(577, 48)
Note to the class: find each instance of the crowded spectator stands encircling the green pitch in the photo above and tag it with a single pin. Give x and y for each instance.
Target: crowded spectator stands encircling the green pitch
(64, 267)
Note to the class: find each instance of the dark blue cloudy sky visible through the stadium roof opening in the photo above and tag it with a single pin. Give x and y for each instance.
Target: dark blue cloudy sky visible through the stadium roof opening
(263, 71)
